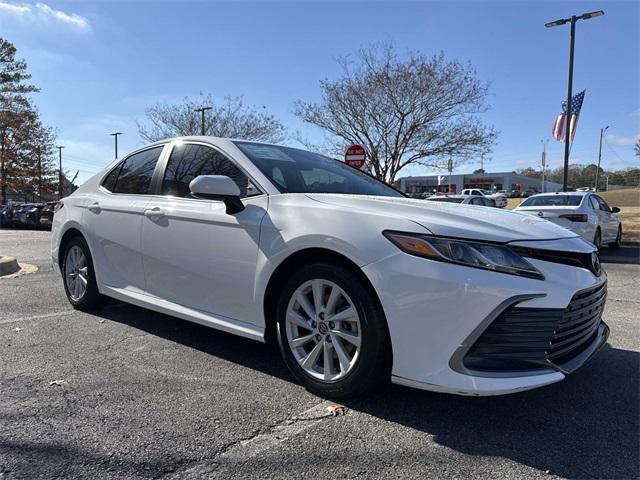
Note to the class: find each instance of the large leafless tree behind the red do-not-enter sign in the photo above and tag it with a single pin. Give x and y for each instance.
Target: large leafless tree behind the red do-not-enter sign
(414, 110)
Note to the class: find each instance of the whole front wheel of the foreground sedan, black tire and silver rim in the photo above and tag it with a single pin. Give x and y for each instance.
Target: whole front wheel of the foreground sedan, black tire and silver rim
(332, 332)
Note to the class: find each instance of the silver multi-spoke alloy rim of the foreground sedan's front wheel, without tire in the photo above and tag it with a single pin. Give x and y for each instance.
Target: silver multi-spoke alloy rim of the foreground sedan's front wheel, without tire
(323, 330)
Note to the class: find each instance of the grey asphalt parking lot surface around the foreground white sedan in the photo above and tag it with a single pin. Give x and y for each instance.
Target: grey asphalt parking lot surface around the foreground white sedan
(144, 395)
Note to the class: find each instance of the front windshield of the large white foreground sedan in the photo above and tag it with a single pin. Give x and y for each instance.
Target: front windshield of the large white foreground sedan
(298, 171)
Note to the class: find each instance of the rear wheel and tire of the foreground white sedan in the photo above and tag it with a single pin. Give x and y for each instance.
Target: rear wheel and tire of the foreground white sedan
(79, 277)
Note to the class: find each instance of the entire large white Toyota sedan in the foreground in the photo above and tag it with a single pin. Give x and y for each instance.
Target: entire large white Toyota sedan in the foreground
(357, 283)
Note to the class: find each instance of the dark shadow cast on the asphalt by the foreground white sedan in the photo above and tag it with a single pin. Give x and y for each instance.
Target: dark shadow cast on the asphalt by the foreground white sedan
(583, 427)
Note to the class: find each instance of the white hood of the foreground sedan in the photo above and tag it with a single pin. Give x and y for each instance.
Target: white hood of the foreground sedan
(452, 219)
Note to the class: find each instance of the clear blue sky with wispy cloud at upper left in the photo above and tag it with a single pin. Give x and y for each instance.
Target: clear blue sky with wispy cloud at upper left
(99, 64)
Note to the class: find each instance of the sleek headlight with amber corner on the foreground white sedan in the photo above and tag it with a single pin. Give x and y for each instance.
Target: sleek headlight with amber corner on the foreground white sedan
(488, 256)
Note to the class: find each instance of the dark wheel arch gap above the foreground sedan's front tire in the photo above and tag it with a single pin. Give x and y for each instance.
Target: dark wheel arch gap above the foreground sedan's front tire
(296, 260)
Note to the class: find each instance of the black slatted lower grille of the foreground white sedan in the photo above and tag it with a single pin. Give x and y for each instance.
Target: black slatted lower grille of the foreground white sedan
(528, 339)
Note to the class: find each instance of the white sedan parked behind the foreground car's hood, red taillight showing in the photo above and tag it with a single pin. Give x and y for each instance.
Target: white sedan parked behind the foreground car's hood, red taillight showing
(584, 213)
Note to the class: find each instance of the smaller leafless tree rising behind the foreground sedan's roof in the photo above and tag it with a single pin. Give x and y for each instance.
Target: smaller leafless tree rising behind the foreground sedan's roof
(229, 118)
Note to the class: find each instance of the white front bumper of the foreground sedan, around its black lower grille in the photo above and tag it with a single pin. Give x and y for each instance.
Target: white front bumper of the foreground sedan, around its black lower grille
(435, 310)
